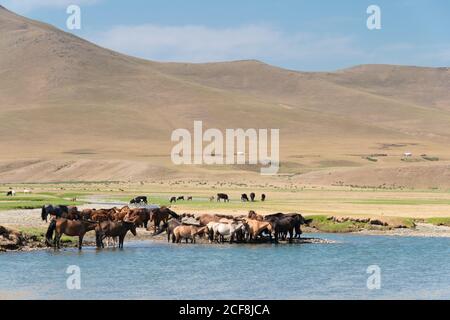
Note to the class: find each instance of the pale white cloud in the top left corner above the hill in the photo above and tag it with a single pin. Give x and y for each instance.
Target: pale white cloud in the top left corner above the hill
(24, 6)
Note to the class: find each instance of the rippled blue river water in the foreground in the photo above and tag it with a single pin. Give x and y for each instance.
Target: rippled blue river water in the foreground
(410, 268)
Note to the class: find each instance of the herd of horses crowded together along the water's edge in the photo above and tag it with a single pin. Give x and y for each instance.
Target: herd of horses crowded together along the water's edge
(113, 224)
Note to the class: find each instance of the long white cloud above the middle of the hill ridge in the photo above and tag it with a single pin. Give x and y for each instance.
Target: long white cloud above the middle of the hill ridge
(204, 44)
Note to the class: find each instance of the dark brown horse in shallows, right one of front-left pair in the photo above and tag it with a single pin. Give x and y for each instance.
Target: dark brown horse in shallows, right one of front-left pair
(113, 229)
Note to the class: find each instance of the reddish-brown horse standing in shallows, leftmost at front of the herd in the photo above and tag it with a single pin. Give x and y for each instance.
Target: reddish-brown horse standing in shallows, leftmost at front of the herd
(71, 228)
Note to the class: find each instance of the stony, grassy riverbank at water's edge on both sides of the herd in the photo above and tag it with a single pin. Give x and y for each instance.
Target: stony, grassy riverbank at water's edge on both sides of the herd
(24, 230)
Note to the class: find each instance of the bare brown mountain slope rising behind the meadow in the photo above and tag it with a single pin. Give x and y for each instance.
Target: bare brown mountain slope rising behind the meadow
(63, 99)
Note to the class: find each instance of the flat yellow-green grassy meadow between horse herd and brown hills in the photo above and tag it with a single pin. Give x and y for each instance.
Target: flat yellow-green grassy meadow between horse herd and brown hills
(396, 206)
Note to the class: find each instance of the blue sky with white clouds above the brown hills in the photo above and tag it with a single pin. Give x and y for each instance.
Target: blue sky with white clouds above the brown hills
(319, 35)
